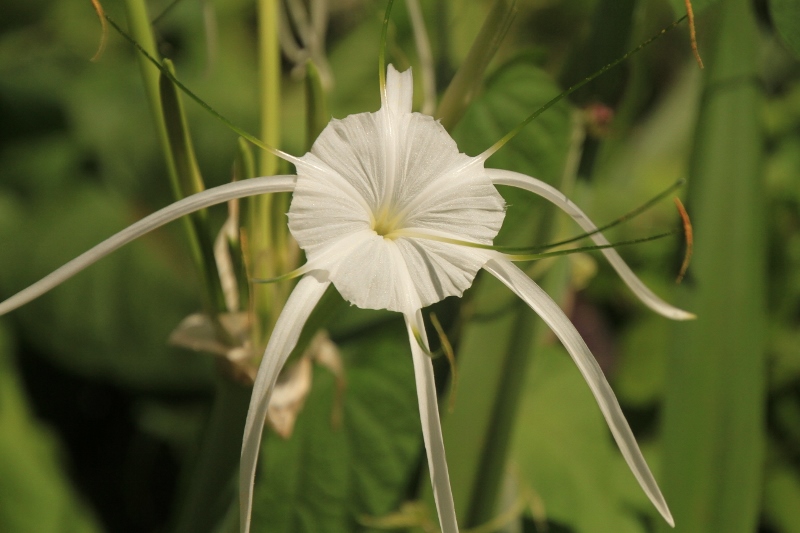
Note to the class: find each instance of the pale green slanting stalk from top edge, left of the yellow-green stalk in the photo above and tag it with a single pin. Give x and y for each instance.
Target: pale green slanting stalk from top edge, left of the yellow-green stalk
(141, 32)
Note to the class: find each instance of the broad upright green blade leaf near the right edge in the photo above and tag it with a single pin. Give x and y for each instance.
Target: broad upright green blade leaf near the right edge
(714, 427)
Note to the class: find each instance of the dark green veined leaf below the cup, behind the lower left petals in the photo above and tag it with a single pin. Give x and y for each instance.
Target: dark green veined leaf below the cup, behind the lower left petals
(324, 478)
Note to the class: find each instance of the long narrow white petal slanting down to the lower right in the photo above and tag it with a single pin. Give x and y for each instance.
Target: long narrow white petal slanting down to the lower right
(545, 307)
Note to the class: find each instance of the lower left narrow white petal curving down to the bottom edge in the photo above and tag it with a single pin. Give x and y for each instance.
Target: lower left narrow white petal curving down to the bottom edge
(284, 337)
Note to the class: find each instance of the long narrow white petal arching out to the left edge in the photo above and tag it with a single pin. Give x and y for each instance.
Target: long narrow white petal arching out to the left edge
(217, 195)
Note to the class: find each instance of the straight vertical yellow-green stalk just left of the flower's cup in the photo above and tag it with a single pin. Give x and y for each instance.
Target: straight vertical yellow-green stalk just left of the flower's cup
(265, 245)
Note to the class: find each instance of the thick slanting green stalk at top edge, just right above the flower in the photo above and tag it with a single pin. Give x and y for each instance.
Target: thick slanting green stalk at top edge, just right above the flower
(469, 77)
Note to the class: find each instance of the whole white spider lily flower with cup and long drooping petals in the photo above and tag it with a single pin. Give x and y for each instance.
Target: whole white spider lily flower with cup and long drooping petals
(386, 208)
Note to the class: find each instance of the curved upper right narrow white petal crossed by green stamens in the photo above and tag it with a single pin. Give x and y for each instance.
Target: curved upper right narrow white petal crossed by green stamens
(515, 179)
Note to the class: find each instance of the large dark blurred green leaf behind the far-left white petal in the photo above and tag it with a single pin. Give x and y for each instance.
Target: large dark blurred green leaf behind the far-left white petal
(113, 320)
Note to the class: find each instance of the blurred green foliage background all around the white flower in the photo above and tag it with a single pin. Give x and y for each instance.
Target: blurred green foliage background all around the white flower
(102, 420)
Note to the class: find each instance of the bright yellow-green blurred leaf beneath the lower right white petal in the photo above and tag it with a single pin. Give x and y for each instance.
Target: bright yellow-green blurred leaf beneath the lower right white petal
(565, 455)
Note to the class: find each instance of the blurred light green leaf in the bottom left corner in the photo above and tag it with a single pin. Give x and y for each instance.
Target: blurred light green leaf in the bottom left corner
(37, 494)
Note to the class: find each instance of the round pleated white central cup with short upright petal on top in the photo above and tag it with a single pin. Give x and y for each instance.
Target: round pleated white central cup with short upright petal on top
(373, 174)
